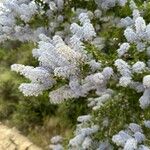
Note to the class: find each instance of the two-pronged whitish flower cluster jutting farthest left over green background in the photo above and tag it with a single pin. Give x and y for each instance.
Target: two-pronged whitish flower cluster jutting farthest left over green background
(40, 78)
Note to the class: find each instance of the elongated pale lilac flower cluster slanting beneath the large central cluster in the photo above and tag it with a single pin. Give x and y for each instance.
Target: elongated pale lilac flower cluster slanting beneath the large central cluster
(75, 89)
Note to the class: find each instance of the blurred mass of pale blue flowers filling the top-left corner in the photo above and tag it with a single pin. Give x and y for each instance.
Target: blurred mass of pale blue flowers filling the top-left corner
(14, 21)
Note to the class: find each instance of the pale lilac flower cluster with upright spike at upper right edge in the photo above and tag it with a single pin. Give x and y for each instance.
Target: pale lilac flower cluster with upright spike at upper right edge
(137, 31)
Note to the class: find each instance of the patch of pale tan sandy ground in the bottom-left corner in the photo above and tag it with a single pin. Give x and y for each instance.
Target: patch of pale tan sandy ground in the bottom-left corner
(11, 139)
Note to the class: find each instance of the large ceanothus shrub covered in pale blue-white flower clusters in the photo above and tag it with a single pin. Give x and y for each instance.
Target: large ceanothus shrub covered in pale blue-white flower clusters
(84, 61)
